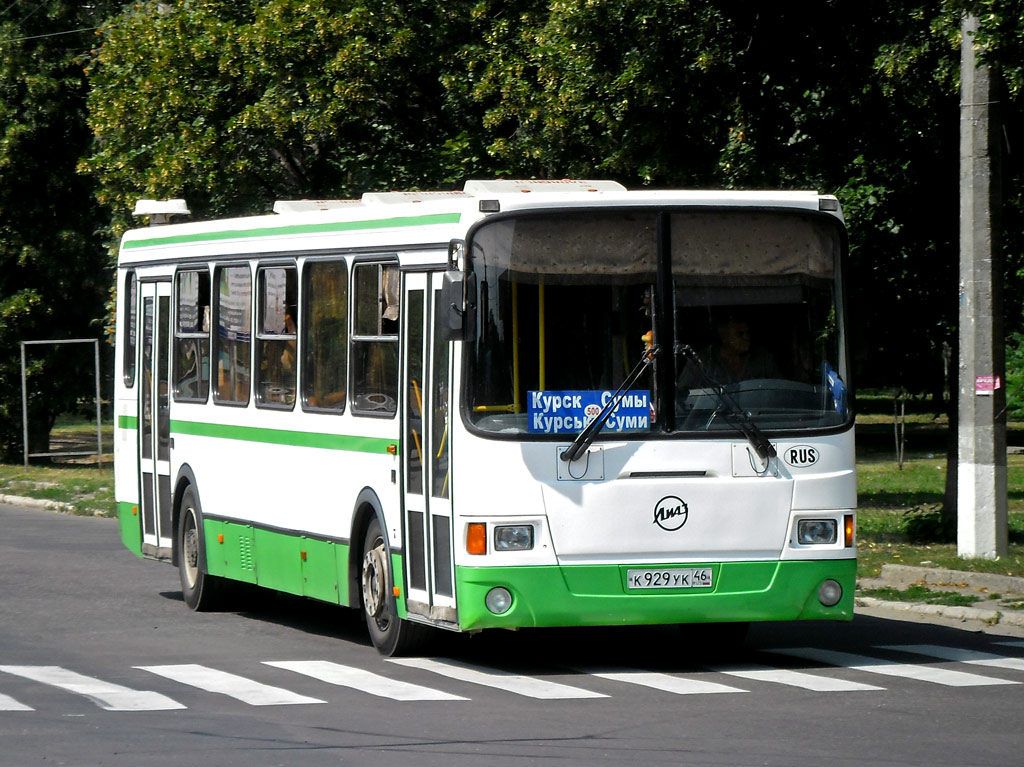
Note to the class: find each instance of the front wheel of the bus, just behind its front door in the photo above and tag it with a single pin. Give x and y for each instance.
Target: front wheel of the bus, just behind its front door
(391, 635)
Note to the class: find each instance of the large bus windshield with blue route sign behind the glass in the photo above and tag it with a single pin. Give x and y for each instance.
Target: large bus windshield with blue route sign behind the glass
(742, 308)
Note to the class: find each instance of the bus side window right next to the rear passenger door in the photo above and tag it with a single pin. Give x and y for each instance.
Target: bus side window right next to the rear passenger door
(192, 336)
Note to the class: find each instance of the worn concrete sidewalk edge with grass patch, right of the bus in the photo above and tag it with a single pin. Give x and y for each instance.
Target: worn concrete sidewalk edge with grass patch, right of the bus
(989, 612)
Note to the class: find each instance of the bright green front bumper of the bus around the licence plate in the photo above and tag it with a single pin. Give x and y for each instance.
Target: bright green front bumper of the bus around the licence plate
(596, 595)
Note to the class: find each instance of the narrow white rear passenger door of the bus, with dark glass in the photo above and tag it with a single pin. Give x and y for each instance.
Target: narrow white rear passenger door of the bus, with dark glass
(154, 420)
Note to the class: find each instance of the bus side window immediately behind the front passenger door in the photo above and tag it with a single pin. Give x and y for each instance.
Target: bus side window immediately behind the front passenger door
(375, 339)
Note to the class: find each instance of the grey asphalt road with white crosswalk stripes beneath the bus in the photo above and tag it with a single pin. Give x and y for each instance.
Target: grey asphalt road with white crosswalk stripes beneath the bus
(102, 664)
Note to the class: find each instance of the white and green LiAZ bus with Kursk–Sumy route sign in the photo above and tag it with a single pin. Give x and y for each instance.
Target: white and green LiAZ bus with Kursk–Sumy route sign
(526, 404)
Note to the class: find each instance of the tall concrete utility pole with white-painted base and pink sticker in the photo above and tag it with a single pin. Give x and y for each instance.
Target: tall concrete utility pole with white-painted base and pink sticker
(982, 526)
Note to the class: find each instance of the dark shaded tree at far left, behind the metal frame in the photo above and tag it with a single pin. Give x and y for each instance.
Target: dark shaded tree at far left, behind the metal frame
(54, 275)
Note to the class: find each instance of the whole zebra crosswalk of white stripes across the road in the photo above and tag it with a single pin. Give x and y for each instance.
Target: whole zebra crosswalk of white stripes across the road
(820, 670)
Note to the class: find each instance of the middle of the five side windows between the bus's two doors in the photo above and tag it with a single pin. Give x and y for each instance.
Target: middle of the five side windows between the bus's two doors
(276, 333)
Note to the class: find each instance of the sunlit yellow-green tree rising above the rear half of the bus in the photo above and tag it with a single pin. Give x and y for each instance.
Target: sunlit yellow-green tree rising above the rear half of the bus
(234, 104)
